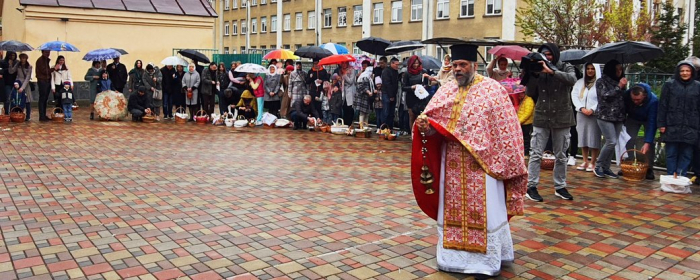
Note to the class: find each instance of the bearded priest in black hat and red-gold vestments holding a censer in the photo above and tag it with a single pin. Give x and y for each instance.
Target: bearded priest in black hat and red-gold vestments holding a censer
(468, 170)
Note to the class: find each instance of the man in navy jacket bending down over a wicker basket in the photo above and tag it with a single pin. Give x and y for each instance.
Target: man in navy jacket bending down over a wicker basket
(641, 106)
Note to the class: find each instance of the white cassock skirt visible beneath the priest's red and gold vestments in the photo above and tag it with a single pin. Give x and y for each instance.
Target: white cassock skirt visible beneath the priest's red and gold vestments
(499, 247)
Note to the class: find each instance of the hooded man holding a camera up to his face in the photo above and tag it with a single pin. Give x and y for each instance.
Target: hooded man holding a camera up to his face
(553, 117)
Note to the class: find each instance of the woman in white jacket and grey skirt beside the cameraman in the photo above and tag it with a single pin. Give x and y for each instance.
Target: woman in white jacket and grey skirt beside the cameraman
(585, 100)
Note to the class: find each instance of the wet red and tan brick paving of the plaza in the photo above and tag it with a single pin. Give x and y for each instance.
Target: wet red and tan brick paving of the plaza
(123, 200)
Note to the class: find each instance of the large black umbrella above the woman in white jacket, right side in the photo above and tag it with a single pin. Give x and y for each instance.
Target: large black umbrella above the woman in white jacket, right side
(624, 52)
